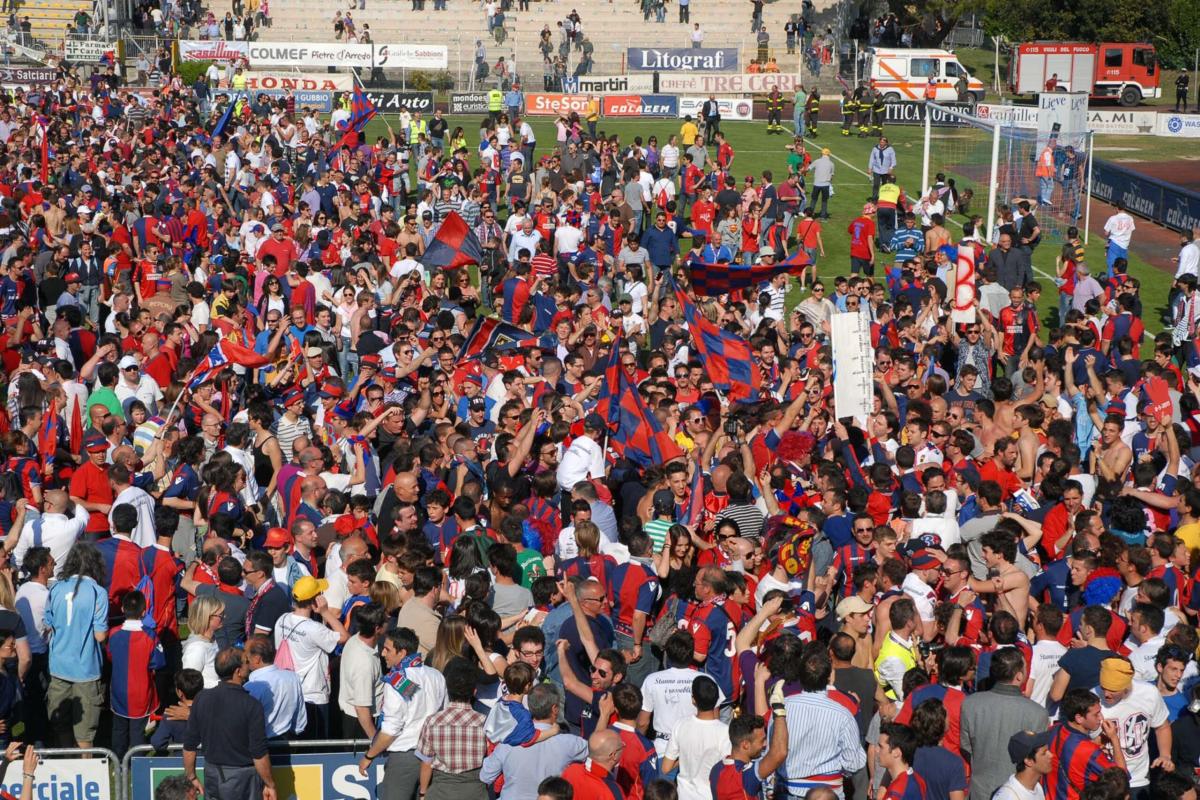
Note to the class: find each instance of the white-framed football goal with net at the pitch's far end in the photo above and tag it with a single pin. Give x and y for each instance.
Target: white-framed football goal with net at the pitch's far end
(1000, 155)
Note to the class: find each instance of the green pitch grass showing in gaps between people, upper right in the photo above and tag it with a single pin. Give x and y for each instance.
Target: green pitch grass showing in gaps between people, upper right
(757, 151)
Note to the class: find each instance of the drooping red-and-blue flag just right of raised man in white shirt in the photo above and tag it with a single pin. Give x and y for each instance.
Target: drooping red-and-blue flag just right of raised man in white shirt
(634, 432)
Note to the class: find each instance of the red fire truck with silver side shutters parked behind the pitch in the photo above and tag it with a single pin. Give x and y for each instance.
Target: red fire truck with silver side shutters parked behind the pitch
(1121, 71)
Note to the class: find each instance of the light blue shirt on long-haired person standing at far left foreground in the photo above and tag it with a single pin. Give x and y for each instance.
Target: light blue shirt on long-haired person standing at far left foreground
(77, 610)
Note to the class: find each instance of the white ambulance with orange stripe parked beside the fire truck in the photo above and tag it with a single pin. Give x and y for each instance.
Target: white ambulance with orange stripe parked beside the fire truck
(904, 75)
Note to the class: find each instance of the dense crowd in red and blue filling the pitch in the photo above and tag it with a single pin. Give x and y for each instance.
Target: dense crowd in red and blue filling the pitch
(271, 478)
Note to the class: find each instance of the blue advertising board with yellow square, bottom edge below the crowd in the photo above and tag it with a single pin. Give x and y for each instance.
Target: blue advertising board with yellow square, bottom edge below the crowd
(303, 777)
